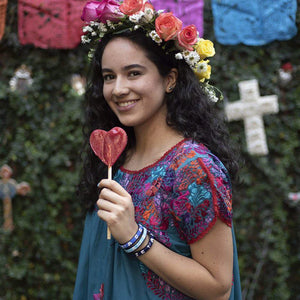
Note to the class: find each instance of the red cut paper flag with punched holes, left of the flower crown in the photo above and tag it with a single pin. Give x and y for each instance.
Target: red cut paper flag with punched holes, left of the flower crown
(50, 23)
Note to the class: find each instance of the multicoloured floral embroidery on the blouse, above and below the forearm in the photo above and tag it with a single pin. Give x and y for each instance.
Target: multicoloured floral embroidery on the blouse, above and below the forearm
(179, 199)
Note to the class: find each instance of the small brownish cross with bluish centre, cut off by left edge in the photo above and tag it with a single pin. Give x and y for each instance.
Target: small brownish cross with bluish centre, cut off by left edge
(8, 189)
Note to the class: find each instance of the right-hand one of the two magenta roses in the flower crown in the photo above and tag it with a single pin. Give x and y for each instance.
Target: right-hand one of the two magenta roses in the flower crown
(109, 10)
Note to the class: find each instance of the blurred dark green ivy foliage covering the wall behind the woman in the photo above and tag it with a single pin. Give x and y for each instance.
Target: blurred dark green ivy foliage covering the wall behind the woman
(40, 138)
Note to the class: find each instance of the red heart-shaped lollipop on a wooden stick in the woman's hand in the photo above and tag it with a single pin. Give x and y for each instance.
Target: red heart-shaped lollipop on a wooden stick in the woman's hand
(108, 146)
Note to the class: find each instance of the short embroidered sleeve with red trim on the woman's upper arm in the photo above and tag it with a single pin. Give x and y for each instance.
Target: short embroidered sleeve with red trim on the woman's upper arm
(201, 194)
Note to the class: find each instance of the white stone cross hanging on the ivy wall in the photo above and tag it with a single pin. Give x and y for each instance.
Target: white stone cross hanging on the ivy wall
(251, 109)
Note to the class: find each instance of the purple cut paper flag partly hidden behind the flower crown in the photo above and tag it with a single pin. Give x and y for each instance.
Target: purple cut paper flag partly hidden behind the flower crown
(189, 11)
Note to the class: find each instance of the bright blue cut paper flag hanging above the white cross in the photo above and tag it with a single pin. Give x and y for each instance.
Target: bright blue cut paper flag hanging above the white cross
(254, 22)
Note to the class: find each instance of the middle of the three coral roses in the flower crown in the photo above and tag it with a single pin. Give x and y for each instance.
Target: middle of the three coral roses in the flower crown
(167, 26)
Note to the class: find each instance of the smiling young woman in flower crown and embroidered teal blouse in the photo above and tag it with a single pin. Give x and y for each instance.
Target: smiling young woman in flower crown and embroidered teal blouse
(168, 206)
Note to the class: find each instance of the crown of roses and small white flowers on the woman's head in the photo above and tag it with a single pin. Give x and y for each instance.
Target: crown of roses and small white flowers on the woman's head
(110, 16)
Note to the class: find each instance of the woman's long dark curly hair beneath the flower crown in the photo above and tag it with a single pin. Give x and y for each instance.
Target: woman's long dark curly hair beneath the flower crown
(189, 111)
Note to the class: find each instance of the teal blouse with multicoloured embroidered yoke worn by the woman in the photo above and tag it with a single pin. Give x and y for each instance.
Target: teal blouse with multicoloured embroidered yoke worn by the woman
(178, 199)
